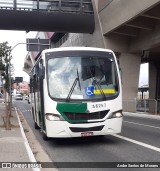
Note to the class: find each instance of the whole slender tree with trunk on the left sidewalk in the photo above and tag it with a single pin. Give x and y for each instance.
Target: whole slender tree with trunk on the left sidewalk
(5, 59)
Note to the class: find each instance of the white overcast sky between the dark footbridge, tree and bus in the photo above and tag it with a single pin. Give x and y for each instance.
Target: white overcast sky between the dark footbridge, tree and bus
(19, 52)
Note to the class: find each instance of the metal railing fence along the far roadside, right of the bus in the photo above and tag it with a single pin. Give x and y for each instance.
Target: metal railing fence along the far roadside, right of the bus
(149, 105)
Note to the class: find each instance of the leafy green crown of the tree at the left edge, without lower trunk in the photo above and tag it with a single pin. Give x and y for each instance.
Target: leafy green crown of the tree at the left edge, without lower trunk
(5, 58)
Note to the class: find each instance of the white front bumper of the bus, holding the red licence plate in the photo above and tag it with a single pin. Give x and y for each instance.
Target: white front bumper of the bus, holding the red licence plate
(63, 129)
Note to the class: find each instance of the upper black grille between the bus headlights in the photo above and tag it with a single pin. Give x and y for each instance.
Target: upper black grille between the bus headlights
(86, 116)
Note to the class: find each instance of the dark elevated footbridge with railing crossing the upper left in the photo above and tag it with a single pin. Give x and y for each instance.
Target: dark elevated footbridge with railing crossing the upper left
(74, 16)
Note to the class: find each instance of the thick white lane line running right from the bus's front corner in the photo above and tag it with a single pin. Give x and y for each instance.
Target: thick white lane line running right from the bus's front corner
(138, 142)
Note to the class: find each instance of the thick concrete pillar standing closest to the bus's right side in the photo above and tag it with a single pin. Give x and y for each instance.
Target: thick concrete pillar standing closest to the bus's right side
(130, 68)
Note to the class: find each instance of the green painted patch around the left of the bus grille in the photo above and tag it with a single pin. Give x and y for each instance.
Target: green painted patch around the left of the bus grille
(73, 108)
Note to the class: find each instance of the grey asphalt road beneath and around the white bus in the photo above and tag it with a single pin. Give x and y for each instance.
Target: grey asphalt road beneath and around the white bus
(138, 142)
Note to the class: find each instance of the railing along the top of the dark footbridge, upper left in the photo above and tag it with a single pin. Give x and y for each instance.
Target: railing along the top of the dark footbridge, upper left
(77, 6)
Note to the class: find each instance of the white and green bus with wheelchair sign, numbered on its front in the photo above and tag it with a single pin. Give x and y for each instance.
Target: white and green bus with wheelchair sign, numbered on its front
(76, 92)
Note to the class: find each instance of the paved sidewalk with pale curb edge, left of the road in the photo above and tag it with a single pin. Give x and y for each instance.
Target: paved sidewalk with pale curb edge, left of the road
(14, 146)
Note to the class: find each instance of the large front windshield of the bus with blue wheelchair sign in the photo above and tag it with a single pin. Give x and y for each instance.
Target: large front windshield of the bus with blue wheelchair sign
(82, 77)
